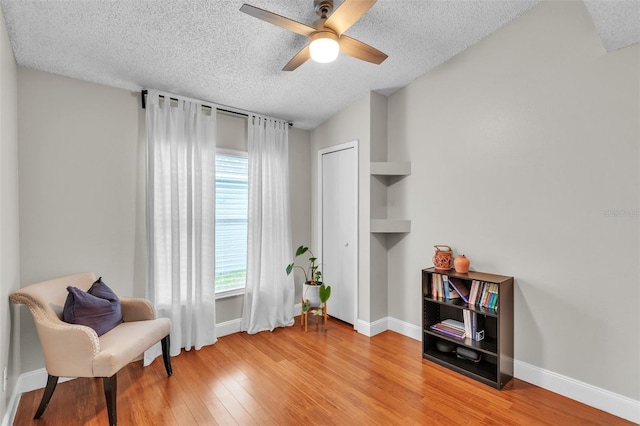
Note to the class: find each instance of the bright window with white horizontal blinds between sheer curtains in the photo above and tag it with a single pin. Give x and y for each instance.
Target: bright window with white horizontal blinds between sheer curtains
(232, 195)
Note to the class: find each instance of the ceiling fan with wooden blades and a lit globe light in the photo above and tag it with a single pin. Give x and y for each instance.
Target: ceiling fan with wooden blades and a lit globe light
(326, 35)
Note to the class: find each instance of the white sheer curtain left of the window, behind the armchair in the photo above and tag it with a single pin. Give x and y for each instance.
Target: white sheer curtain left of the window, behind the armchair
(181, 218)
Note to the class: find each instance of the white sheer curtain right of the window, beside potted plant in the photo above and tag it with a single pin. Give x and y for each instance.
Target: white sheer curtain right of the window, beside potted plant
(268, 301)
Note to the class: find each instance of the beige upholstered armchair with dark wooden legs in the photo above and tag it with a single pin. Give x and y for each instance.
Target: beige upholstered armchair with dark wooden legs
(72, 350)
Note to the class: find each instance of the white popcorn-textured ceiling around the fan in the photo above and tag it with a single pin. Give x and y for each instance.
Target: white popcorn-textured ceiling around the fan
(209, 50)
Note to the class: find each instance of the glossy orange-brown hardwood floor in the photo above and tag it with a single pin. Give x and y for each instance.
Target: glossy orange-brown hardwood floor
(289, 377)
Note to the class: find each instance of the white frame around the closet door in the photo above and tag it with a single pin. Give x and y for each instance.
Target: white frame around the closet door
(335, 148)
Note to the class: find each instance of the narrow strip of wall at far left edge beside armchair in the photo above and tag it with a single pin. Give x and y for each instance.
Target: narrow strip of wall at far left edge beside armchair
(9, 239)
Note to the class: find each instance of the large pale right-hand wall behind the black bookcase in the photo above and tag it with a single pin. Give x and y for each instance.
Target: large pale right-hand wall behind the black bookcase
(520, 147)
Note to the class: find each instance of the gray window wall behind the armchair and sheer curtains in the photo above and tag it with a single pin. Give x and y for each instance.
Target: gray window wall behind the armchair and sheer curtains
(82, 187)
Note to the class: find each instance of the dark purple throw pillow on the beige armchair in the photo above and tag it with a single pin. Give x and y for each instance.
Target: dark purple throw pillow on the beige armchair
(98, 307)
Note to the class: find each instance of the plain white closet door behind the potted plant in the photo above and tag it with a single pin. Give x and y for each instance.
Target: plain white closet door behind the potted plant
(339, 231)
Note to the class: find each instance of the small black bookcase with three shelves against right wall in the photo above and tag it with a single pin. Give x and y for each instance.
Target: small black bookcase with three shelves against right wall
(495, 367)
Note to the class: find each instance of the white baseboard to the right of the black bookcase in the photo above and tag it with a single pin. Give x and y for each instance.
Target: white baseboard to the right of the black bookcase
(599, 398)
